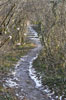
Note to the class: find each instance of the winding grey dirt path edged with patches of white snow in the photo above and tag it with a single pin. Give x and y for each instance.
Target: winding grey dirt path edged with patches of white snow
(23, 79)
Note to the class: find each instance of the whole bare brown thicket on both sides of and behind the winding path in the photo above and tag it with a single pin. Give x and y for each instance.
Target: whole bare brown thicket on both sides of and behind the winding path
(50, 17)
